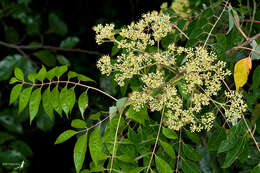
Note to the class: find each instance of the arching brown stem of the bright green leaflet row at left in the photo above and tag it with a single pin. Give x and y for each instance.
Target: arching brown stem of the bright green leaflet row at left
(69, 82)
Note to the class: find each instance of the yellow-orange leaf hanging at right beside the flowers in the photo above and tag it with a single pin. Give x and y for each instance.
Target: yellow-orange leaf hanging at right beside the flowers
(242, 69)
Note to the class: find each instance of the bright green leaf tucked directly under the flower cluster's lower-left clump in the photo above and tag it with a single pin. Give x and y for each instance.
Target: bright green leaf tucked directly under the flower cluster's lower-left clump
(139, 116)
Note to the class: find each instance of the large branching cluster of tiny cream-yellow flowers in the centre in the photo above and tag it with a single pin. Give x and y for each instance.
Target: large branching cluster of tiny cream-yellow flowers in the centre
(200, 71)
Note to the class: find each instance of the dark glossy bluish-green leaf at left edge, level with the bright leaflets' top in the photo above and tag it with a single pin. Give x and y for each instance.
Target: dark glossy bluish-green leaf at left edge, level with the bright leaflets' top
(8, 64)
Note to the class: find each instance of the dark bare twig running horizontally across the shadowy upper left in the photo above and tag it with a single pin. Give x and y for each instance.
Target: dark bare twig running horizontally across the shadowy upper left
(20, 47)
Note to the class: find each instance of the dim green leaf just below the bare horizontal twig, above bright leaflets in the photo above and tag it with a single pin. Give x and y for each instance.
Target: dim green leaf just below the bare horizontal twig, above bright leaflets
(46, 57)
